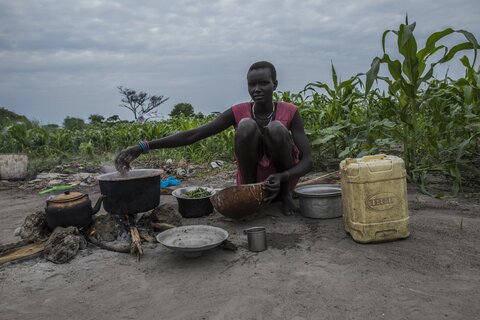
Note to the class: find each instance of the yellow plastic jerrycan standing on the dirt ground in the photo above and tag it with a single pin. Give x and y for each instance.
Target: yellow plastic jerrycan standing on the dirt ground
(374, 198)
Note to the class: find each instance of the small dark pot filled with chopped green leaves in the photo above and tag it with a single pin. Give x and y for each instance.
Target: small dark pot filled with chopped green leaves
(193, 207)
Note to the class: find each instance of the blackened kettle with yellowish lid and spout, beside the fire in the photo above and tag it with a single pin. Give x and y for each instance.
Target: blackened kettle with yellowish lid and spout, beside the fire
(71, 209)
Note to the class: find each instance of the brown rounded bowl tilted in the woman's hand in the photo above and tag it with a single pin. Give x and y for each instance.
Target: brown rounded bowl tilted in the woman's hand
(239, 201)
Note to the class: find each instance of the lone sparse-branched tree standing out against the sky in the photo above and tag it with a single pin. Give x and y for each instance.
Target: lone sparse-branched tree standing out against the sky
(139, 103)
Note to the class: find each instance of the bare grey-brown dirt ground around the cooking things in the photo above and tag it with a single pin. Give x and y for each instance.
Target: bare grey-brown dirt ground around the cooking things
(311, 270)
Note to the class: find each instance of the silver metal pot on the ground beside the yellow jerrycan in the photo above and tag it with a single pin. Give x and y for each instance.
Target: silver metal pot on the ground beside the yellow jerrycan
(320, 201)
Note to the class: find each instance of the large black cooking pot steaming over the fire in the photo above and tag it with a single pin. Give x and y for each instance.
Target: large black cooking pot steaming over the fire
(133, 192)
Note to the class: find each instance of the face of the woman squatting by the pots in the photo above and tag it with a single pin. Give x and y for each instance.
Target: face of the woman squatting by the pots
(261, 85)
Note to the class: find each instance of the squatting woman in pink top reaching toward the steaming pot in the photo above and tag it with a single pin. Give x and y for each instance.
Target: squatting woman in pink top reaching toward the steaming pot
(270, 142)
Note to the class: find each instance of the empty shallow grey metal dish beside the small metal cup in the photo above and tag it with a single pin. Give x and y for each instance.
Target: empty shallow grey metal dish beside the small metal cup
(192, 240)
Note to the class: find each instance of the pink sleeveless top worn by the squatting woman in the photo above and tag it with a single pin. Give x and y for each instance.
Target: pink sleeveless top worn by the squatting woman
(284, 113)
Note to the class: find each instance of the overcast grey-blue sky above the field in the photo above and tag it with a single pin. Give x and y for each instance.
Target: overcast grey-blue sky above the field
(67, 58)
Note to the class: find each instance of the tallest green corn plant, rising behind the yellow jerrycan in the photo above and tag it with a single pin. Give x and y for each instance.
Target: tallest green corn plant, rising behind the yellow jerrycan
(408, 79)
